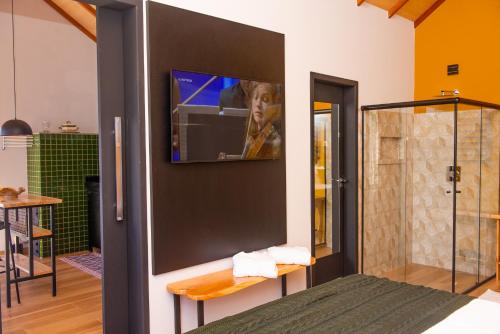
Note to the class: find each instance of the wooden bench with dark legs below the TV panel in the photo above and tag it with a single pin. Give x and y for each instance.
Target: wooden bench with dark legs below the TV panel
(220, 284)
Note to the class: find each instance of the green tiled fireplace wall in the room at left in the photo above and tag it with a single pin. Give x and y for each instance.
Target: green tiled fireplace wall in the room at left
(57, 167)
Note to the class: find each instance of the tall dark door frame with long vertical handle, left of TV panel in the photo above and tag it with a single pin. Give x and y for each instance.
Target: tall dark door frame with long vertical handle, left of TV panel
(120, 66)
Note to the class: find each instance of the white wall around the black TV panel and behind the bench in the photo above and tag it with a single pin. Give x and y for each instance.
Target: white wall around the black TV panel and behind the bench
(333, 37)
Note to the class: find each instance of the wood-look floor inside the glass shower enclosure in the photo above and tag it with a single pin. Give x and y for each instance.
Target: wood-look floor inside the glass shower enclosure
(432, 277)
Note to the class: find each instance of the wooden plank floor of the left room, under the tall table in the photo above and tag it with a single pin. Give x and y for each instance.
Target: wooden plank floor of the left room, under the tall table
(76, 309)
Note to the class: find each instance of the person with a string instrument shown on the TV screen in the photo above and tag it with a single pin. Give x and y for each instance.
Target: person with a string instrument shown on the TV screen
(263, 139)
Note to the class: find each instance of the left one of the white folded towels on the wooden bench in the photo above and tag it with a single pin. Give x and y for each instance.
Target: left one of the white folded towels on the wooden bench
(254, 264)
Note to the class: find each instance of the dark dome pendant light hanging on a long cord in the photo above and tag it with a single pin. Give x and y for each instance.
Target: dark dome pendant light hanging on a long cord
(15, 132)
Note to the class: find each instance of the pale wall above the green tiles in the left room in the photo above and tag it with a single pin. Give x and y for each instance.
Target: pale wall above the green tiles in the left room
(56, 67)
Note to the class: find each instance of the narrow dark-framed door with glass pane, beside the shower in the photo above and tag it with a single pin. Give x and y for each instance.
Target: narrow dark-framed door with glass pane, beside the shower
(333, 177)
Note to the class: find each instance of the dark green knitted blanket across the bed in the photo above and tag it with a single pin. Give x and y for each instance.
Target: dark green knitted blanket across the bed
(352, 304)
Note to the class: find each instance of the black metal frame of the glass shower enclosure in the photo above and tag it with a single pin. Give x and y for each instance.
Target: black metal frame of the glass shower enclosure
(455, 101)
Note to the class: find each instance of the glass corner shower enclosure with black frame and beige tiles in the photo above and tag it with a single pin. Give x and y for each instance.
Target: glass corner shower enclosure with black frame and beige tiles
(430, 192)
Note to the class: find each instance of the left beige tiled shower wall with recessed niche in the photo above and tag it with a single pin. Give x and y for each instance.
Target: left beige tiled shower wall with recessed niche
(386, 191)
